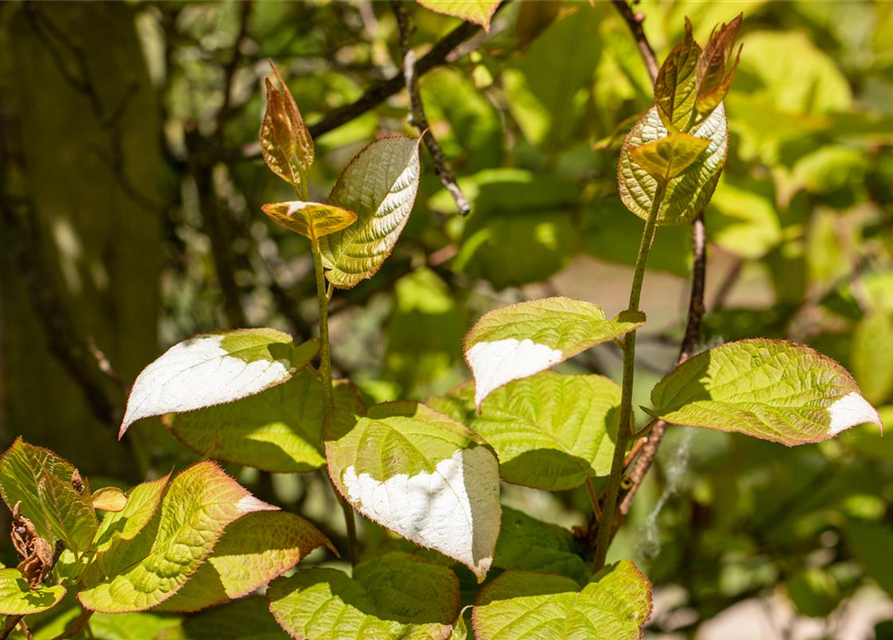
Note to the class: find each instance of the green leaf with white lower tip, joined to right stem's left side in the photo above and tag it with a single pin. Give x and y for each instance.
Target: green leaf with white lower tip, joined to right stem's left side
(520, 340)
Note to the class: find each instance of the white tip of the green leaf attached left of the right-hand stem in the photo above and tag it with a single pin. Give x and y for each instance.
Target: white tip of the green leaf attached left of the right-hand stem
(494, 364)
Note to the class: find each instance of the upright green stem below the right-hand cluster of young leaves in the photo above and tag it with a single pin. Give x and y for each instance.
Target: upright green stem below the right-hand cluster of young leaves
(624, 431)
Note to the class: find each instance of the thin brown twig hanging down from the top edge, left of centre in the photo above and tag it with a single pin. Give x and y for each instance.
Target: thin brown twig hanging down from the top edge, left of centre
(418, 119)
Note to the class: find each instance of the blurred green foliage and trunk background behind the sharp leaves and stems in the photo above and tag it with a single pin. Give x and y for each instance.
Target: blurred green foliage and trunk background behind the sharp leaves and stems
(131, 193)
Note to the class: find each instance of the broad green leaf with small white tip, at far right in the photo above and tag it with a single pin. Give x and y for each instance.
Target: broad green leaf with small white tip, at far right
(770, 389)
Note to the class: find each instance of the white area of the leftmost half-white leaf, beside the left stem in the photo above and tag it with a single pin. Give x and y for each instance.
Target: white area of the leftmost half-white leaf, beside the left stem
(198, 373)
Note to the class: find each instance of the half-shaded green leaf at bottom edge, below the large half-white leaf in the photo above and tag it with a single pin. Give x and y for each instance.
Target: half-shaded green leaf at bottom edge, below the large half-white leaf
(396, 596)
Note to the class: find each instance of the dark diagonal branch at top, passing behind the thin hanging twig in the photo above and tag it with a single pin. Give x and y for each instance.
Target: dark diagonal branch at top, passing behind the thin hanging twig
(377, 94)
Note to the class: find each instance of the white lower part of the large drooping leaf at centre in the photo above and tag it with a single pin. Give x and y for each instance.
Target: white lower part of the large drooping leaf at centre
(454, 510)
